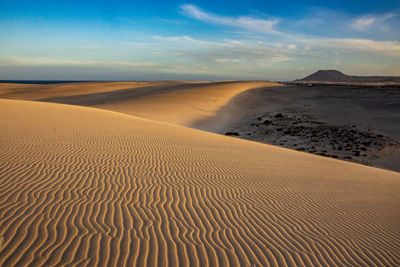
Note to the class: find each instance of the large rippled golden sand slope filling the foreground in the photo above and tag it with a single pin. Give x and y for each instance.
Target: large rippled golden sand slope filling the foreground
(93, 187)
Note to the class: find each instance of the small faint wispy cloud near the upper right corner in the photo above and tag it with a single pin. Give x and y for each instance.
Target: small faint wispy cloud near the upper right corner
(368, 22)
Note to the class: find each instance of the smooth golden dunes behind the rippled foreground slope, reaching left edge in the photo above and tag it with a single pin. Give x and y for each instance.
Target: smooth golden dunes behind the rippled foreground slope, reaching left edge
(182, 103)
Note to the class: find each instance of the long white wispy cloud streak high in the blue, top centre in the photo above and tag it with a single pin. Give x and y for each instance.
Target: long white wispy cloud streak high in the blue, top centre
(244, 22)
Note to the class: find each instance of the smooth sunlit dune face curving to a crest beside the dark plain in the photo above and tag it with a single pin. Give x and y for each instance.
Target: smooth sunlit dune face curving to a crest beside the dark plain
(183, 106)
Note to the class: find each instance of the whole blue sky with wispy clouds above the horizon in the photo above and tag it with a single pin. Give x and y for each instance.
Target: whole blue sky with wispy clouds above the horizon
(196, 40)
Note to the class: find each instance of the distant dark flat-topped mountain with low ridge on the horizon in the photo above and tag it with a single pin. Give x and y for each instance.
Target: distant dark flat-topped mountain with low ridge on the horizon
(337, 76)
